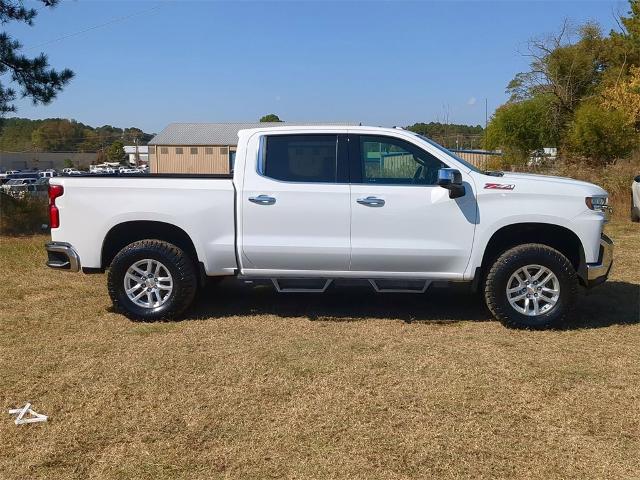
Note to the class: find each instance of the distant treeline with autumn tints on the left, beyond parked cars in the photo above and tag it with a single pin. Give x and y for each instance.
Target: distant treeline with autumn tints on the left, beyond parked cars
(63, 135)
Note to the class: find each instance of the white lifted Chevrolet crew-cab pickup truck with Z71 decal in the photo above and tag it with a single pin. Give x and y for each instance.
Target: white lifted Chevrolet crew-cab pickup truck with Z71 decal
(309, 205)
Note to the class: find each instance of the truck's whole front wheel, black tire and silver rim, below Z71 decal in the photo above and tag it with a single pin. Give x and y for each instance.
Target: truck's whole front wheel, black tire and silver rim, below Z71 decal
(531, 286)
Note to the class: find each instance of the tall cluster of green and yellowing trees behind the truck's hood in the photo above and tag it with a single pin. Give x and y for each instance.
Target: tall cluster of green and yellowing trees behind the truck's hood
(581, 94)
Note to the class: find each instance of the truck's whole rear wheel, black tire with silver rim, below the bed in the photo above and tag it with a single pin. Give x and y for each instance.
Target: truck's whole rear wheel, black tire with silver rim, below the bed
(152, 280)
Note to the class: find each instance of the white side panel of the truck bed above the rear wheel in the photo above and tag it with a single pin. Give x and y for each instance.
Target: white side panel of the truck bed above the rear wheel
(203, 206)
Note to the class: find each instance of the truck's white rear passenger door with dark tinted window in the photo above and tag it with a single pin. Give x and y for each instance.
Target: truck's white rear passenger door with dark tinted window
(296, 206)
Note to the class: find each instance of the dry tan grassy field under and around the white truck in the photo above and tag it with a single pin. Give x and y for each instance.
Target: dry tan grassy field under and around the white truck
(345, 385)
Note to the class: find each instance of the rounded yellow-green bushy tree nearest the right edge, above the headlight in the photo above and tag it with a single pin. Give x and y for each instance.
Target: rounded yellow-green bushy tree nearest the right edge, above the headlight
(601, 135)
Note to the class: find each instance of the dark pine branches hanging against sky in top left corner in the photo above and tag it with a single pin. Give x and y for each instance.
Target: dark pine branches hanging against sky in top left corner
(32, 76)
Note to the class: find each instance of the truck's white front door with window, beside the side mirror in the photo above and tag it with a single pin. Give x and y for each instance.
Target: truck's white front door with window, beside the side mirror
(402, 221)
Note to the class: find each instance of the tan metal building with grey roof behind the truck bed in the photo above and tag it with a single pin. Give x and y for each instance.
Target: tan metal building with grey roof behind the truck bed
(201, 147)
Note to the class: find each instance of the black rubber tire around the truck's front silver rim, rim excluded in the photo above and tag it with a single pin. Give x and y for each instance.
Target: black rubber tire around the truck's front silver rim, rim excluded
(510, 262)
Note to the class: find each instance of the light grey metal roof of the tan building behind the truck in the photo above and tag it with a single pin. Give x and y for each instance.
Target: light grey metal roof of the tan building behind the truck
(220, 133)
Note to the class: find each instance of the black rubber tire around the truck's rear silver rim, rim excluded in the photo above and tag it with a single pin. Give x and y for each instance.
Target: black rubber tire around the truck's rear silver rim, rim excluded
(180, 266)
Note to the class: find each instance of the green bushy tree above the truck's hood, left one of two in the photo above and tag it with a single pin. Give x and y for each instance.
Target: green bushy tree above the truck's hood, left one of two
(520, 128)
